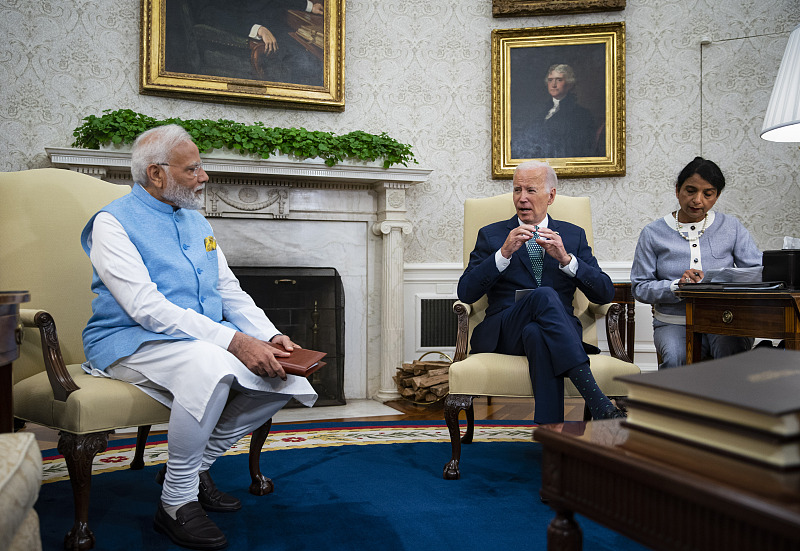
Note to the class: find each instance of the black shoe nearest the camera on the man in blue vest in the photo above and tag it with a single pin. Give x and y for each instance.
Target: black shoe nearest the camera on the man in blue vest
(191, 529)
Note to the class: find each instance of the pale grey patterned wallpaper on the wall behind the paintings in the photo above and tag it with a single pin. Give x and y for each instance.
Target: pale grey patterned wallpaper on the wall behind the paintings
(420, 71)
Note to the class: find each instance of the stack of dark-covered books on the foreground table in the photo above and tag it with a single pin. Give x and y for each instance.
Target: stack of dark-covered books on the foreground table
(735, 418)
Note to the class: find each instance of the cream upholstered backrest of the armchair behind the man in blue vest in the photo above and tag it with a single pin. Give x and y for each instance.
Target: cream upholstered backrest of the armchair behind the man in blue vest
(42, 213)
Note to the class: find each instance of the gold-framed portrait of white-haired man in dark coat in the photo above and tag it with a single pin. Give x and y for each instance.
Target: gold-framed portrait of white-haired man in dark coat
(558, 94)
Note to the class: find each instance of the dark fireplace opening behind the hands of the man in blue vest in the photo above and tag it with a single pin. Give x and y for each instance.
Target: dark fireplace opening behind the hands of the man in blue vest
(308, 305)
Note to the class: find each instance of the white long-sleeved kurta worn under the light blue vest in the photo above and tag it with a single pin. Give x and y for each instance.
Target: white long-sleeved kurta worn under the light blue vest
(183, 370)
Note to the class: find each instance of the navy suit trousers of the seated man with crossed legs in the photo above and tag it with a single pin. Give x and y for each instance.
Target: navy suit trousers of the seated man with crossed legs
(538, 326)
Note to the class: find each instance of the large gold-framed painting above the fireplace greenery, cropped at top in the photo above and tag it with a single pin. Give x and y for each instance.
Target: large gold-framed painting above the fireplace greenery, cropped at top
(274, 53)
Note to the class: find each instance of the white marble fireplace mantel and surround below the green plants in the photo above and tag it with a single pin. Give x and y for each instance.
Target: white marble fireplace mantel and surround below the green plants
(263, 209)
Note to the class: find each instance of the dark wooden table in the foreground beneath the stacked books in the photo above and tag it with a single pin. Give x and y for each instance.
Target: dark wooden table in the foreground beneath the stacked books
(587, 470)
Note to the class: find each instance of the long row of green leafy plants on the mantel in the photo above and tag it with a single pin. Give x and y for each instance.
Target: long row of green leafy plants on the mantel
(123, 125)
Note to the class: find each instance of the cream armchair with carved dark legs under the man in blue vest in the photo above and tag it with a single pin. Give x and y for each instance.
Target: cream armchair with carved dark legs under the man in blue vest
(42, 213)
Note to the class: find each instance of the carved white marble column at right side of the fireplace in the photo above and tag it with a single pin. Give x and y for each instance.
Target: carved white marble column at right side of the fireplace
(391, 224)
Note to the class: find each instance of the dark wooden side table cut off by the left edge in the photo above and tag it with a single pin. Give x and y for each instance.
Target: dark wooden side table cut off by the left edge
(9, 351)
